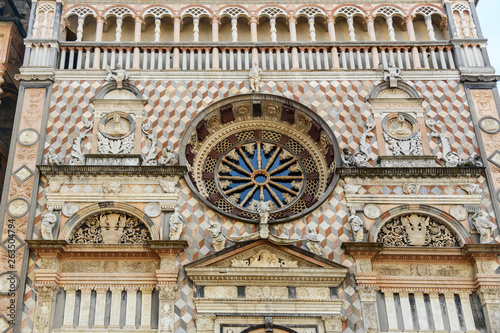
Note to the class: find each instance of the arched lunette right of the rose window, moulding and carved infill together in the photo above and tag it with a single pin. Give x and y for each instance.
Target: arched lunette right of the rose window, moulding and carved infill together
(413, 225)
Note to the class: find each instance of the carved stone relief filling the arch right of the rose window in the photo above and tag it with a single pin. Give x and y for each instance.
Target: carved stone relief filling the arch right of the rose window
(416, 230)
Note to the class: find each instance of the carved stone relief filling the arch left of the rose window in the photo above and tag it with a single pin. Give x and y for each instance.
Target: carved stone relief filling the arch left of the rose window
(111, 228)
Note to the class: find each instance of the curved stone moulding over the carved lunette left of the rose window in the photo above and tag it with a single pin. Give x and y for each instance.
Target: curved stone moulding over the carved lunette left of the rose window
(79, 217)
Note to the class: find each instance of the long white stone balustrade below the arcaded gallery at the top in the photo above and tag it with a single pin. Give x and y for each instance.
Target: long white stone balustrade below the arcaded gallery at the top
(438, 56)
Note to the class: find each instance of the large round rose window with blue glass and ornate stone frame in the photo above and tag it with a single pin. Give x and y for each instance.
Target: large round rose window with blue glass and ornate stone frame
(253, 148)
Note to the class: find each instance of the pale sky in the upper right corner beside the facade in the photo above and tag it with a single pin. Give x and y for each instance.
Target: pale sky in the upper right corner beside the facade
(488, 11)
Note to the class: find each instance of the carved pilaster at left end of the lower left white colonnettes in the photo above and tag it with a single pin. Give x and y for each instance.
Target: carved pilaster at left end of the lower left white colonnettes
(45, 301)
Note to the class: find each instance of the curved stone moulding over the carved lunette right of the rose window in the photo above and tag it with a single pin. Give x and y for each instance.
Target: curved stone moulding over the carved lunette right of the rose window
(442, 217)
